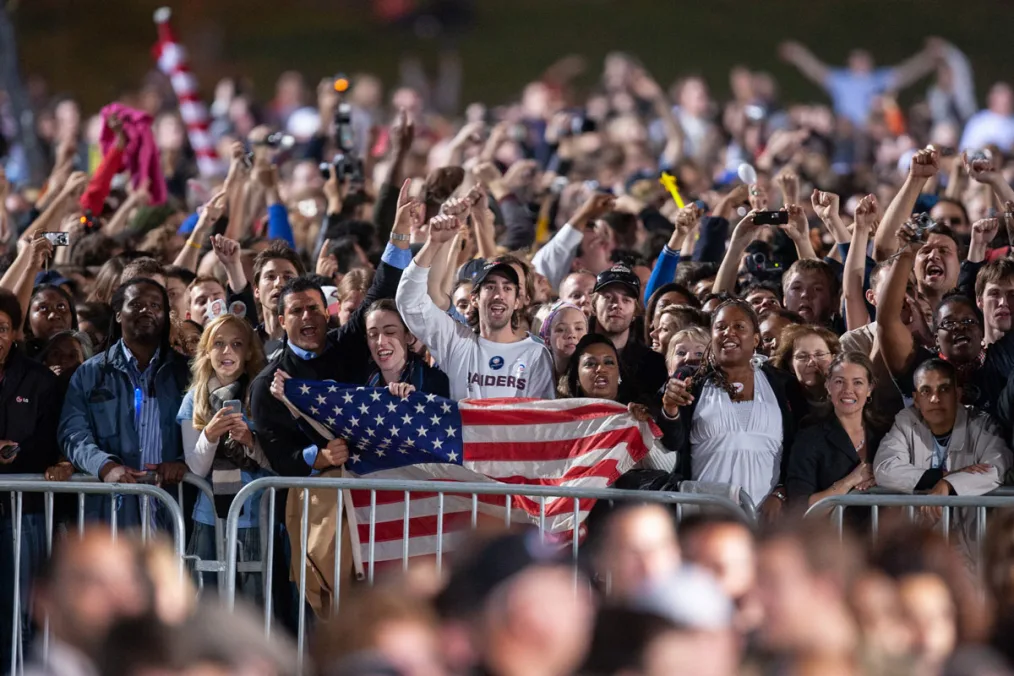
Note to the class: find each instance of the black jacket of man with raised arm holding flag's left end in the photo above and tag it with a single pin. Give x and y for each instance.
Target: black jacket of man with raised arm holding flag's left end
(346, 360)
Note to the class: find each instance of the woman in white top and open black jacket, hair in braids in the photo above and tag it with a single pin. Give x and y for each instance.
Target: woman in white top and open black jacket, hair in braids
(738, 418)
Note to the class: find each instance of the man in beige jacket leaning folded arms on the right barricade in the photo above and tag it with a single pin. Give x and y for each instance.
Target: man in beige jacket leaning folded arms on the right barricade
(940, 446)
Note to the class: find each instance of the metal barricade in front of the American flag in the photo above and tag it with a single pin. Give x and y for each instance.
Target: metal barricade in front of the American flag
(271, 485)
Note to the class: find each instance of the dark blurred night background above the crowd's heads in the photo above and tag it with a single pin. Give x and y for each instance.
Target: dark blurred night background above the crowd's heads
(96, 49)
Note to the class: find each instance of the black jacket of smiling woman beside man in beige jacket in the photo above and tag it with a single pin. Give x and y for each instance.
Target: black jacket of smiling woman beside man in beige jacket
(823, 454)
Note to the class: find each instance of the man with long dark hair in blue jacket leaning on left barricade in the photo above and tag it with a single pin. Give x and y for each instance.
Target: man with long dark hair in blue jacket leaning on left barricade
(119, 417)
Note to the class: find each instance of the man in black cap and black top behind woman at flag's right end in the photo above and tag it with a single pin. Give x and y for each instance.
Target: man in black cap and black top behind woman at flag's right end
(617, 302)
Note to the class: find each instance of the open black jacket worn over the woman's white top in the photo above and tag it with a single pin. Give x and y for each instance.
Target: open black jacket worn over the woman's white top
(790, 401)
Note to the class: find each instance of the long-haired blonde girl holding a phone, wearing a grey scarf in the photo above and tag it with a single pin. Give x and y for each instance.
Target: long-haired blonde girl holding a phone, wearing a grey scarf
(220, 442)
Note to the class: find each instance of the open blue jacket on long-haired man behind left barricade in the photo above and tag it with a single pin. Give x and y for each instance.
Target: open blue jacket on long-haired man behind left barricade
(98, 420)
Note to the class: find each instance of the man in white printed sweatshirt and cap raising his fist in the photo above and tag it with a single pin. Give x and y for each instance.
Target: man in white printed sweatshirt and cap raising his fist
(487, 359)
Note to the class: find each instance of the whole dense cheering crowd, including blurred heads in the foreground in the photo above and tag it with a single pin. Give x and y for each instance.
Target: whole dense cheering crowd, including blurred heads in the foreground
(813, 301)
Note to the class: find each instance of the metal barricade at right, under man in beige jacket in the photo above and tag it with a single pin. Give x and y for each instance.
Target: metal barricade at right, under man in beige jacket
(875, 500)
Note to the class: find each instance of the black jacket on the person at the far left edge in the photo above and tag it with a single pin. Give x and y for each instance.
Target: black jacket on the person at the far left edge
(30, 416)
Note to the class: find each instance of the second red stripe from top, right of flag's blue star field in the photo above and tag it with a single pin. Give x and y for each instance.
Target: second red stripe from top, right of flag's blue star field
(554, 450)
